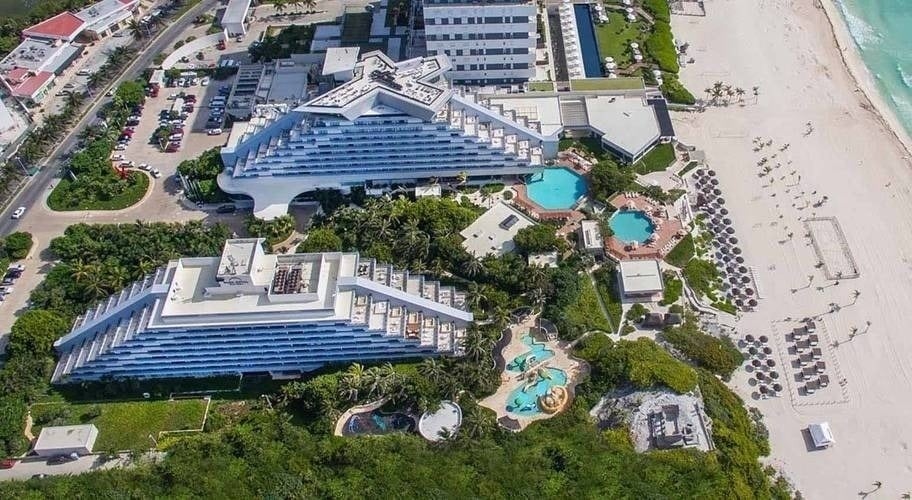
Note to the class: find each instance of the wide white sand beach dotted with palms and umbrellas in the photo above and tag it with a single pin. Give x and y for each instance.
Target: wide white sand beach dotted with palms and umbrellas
(788, 50)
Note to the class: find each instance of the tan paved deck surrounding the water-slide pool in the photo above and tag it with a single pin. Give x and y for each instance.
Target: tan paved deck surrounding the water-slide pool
(509, 381)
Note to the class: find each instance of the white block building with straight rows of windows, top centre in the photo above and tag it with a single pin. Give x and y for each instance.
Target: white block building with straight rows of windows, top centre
(489, 43)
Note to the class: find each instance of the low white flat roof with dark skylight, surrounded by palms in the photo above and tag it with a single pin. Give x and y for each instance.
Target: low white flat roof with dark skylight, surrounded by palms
(492, 233)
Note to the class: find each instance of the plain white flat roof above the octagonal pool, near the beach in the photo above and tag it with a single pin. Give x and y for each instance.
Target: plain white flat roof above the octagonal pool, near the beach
(629, 123)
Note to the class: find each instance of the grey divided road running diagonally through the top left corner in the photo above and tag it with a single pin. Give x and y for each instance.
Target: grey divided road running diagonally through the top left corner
(37, 186)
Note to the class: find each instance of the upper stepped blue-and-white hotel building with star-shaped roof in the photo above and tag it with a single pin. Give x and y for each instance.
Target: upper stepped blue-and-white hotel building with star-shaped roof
(393, 123)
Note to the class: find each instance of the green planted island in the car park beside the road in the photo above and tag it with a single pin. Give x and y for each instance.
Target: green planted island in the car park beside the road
(110, 194)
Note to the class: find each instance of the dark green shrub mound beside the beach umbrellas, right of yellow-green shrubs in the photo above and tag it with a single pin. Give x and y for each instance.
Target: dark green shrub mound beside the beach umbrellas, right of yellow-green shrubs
(718, 355)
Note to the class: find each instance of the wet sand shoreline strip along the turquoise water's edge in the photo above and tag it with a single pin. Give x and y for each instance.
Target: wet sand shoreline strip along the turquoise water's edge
(854, 64)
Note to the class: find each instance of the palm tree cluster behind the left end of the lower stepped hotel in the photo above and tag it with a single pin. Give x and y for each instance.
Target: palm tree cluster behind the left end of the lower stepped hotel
(98, 260)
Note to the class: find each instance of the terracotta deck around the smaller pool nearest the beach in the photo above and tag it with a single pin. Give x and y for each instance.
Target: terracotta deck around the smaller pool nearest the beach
(669, 230)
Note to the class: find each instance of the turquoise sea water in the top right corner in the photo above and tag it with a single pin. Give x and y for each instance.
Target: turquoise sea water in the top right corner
(882, 30)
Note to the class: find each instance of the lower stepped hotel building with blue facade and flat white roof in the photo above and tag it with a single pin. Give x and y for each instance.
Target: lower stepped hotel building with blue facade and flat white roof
(250, 312)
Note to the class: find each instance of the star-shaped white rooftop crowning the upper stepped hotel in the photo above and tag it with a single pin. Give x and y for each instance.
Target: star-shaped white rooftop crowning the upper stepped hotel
(378, 80)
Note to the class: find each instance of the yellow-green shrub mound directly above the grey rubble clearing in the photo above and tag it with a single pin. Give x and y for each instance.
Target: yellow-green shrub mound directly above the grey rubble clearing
(641, 362)
